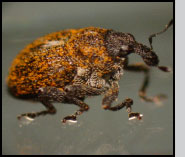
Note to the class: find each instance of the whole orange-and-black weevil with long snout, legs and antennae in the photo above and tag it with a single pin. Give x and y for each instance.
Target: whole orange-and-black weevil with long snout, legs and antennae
(70, 65)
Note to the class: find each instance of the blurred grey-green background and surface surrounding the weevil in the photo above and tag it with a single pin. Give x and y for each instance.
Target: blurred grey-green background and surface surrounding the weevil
(97, 131)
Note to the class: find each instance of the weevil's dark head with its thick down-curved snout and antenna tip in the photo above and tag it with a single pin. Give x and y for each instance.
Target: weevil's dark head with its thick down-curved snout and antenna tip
(122, 44)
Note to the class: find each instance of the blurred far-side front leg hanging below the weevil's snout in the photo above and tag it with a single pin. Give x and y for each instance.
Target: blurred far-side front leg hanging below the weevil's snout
(141, 67)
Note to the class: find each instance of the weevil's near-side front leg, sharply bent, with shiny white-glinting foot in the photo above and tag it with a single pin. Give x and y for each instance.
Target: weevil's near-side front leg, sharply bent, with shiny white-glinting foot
(111, 96)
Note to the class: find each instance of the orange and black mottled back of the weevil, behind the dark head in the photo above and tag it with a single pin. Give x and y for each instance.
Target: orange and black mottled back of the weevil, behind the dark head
(52, 60)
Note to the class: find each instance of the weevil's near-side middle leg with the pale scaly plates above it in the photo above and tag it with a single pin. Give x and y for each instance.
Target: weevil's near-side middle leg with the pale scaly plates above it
(83, 85)
